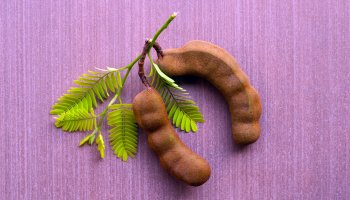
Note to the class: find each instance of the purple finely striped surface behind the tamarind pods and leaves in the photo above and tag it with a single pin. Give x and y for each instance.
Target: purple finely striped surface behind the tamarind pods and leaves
(296, 53)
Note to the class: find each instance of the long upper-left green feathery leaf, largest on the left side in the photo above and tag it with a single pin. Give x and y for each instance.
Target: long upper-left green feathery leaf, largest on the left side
(90, 86)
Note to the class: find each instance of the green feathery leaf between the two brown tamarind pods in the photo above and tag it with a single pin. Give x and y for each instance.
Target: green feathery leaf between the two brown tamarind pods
(183, 112)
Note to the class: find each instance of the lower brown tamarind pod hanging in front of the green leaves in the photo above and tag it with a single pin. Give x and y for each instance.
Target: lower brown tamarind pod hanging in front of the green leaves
(175, 157)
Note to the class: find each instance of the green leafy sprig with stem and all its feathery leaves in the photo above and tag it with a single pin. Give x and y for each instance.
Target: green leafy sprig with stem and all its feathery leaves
(75, 109)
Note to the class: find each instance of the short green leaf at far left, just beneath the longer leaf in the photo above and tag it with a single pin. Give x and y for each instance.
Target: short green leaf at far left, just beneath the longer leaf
(76, 119)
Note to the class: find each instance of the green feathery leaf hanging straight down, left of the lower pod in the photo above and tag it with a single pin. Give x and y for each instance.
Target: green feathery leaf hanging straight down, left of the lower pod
(123, 133)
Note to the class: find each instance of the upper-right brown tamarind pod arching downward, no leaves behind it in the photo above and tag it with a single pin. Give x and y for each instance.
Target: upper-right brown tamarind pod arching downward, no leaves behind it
(213, 63)
